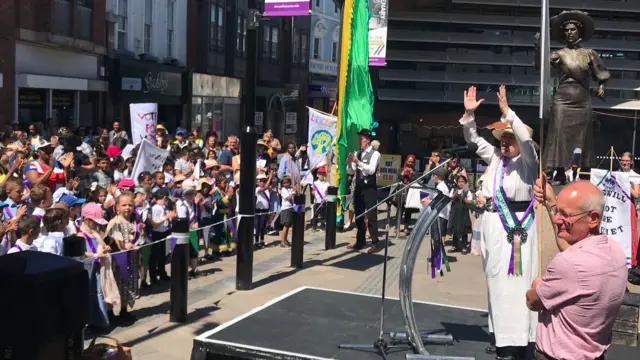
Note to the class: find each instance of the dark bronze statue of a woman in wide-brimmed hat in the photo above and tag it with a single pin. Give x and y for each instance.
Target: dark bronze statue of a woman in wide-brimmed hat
(571, 126)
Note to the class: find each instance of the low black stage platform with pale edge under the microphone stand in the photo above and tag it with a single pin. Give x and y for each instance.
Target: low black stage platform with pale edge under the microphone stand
(310, 323)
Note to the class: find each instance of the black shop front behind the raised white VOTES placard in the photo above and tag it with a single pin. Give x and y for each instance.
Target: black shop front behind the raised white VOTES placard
(136, 81)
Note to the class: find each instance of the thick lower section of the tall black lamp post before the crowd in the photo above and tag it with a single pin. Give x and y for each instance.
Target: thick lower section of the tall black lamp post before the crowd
(244, 260)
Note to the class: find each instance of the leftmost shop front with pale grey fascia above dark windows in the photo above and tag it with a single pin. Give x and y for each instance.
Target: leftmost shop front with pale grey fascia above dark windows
(57, 88)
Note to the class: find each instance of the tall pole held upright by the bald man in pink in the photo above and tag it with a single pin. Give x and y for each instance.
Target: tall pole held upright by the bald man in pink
(544, 110)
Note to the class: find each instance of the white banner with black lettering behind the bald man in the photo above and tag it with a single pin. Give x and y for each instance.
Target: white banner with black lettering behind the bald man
(616, 219)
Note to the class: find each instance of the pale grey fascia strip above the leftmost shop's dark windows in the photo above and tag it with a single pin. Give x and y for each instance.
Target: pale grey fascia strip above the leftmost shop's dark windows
(59, 83)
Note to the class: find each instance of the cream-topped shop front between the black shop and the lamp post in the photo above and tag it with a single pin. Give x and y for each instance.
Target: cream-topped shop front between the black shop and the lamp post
(215, 104)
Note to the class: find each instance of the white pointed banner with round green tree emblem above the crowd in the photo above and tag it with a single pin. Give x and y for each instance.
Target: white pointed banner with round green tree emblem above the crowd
(322, 131)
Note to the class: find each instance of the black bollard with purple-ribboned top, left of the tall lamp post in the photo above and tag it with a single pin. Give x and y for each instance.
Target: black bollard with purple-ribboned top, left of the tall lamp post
(179, 278)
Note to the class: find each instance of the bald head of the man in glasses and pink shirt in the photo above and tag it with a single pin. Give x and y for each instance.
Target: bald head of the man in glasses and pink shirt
(579, 210)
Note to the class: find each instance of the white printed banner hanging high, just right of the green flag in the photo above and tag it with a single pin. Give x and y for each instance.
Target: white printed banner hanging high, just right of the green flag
(378, 26)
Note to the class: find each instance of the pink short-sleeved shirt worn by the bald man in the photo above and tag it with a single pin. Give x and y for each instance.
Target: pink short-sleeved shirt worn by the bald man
(582, 291)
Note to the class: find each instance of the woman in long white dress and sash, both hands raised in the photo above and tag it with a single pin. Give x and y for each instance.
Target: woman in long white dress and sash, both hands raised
(509, 242)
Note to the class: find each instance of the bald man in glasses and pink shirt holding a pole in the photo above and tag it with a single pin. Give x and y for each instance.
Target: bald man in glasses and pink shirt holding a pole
(582, 289)
